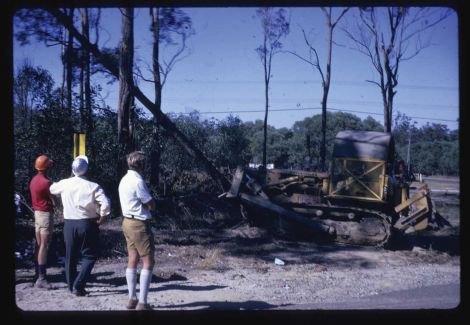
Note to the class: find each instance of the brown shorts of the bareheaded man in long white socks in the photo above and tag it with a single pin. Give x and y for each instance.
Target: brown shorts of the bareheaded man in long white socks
(139, 236)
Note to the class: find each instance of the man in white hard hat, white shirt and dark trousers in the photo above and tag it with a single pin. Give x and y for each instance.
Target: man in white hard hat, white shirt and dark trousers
(85, 208)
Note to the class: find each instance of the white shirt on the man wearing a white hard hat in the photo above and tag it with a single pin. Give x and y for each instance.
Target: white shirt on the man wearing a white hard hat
(81, 198)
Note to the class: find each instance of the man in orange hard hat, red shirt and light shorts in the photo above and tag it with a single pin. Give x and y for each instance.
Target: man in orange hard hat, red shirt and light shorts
(43, 220)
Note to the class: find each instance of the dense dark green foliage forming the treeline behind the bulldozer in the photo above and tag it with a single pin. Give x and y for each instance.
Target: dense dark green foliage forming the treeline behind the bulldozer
(41, 126)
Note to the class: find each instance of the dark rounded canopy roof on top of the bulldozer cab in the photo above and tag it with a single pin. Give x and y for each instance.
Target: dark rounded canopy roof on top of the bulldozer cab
(363, 144)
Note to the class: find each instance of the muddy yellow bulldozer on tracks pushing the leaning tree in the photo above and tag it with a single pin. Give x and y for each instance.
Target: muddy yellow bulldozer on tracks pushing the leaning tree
(363, 199)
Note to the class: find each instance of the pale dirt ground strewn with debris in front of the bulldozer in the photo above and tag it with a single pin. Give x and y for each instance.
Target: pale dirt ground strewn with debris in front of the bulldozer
(233, 268)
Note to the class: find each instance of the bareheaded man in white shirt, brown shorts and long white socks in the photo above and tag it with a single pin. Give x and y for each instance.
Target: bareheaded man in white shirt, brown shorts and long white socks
(136, 204)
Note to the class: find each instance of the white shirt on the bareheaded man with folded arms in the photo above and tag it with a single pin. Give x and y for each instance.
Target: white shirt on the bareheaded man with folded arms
(133, 194)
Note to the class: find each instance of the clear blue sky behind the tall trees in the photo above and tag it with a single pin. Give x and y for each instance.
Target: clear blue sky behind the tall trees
(224, 73)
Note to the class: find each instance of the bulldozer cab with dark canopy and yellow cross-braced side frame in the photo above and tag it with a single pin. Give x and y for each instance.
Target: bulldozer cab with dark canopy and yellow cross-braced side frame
(360, 166)
